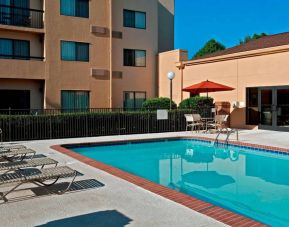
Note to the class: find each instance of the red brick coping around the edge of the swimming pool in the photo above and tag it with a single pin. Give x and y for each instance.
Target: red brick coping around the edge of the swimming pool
(208, 209)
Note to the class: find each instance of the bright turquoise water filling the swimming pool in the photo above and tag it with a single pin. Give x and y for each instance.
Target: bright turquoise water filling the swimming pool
(250, 182)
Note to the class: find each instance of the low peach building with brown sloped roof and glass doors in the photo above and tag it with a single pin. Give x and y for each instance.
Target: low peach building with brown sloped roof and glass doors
(258, 70)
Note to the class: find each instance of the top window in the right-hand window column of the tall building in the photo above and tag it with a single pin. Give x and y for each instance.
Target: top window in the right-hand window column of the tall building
(134, 19)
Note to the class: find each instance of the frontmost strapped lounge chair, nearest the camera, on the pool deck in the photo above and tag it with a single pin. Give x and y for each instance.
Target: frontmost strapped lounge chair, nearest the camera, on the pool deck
(36, 176)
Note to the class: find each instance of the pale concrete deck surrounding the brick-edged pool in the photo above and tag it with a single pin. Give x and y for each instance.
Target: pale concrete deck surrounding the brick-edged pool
(101, 199)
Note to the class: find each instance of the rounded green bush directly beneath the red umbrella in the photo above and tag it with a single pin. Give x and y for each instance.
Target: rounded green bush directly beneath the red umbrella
(196, 103)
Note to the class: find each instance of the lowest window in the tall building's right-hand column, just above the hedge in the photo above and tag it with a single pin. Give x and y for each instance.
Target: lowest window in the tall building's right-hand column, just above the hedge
(133, 99)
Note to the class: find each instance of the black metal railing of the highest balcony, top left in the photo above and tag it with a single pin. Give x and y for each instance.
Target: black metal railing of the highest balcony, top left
(17, 16)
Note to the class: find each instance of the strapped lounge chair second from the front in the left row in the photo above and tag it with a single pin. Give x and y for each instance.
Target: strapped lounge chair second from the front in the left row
(12, 166)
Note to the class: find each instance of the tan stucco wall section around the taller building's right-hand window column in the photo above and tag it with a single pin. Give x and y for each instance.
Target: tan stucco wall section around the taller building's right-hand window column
(135, 78)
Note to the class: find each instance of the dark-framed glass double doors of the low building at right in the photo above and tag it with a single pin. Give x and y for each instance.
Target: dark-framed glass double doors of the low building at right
(274, 108)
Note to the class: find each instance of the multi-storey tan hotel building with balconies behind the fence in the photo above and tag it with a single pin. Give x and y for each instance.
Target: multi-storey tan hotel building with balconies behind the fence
(81, 53)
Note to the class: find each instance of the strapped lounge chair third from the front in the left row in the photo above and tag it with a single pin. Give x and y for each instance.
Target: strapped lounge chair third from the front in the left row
(19, 154)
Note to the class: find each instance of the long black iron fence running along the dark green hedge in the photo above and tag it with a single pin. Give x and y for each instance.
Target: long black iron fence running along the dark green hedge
(35, 124)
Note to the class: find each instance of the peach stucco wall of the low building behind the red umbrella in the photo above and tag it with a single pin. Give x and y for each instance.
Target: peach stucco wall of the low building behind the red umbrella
(267, 67)
